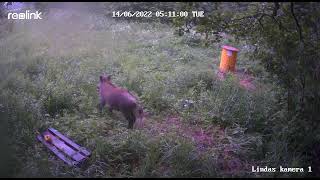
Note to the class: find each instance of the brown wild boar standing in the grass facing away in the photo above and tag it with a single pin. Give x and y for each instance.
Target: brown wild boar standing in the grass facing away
(121, 100)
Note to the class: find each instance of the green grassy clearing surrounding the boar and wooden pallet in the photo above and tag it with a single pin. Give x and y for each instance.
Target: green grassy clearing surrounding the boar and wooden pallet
(49, 72)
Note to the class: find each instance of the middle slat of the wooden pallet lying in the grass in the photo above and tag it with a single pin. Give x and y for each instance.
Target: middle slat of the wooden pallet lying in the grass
(61, 145)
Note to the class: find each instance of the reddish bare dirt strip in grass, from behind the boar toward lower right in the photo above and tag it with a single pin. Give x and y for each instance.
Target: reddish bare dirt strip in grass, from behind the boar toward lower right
(208, 141)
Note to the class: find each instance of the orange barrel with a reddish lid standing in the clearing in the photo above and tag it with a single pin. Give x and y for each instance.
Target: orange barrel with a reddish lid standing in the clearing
(228, 58)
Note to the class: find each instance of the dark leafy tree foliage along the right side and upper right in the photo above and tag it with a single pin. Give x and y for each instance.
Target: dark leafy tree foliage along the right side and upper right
(285, 40)
